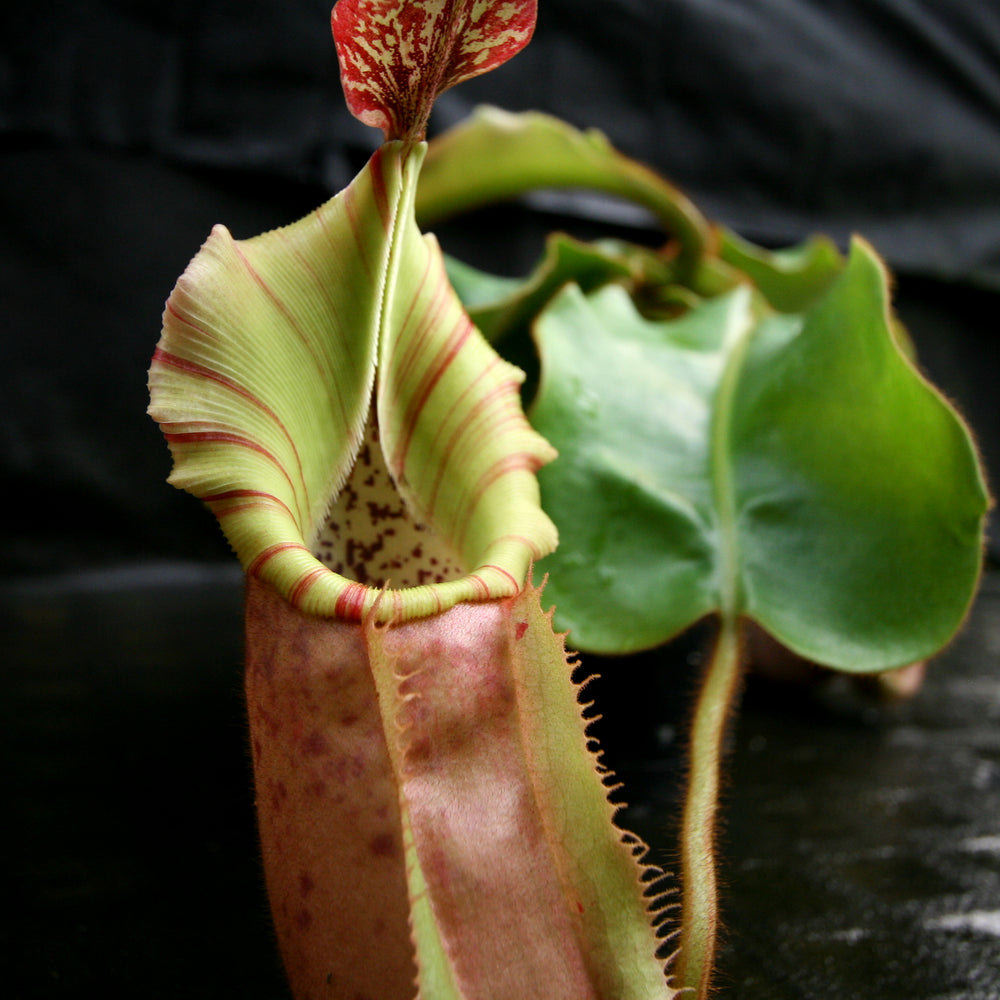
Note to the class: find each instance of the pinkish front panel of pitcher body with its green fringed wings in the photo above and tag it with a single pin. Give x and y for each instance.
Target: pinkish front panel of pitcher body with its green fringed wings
(518, 876)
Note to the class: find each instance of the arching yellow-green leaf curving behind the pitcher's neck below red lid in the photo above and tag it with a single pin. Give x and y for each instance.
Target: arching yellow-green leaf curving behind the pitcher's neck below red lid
(495, 155)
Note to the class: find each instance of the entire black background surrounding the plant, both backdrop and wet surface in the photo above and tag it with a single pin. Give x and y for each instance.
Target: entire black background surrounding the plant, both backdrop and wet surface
(126, 130)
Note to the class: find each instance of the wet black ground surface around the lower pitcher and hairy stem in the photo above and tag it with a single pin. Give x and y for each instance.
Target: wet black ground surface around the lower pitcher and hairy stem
(861, 844)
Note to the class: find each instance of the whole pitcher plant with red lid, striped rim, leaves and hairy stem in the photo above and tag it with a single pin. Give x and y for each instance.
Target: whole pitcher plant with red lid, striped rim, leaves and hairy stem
(741, 434)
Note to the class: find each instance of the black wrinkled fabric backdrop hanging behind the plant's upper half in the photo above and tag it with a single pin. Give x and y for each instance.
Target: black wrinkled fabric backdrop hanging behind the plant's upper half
(128, 128)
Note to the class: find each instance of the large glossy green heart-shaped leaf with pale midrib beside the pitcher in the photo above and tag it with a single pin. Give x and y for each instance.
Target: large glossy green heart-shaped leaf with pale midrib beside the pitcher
(795, 469)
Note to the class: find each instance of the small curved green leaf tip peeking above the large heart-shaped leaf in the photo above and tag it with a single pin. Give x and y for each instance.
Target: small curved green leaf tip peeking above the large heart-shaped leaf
(790, 279)
